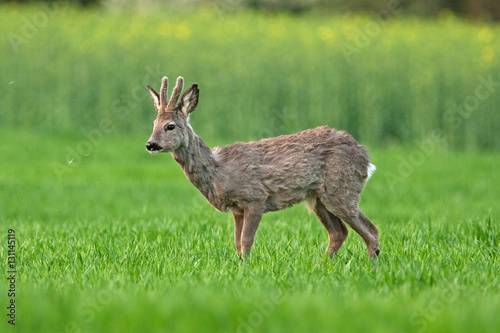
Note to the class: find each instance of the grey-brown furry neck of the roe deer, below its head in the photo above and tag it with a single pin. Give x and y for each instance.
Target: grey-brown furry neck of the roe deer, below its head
(198, 164)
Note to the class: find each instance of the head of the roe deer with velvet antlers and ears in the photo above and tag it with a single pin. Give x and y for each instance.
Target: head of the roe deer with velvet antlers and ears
(171, 127)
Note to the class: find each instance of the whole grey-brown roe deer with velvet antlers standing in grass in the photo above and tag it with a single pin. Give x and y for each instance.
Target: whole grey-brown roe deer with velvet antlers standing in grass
(323, 166)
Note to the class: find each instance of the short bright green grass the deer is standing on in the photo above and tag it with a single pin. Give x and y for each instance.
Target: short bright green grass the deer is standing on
(124, 243)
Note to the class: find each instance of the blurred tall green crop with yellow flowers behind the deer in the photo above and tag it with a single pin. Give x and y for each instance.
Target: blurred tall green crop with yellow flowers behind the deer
(385, 80)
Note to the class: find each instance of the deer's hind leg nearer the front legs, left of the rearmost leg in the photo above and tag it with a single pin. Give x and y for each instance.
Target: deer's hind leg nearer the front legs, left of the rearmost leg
(337, 231)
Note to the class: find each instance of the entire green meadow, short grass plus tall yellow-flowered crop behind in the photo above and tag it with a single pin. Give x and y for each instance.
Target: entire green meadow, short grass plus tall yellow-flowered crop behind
(111, 239)
